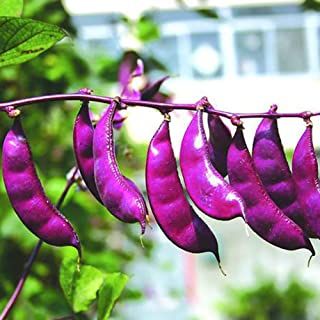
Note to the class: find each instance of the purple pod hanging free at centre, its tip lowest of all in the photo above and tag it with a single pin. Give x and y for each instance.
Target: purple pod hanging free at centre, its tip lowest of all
(170, 207)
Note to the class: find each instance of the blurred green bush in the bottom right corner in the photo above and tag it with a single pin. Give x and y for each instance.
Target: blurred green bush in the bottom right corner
(266, 300)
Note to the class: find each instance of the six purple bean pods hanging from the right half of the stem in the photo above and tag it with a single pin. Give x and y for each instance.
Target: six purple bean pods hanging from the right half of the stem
(277, 205)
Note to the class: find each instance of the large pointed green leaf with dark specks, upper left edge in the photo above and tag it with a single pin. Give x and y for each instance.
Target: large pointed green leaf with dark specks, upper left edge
(24, 39)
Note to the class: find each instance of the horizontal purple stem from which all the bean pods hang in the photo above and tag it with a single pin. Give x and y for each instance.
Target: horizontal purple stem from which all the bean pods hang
(149, 104)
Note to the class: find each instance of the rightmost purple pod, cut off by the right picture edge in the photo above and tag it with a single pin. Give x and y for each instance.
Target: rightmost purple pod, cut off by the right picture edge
(305, 175)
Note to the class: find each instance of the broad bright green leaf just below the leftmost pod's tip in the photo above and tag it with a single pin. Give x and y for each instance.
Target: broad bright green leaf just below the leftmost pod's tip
(80, 284)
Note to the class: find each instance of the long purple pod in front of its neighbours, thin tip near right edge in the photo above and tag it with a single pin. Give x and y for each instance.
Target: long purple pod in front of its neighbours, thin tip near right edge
(262, 214)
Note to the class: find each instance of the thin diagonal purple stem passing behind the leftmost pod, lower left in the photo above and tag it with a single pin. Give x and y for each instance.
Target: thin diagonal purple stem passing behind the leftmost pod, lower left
(27, 268)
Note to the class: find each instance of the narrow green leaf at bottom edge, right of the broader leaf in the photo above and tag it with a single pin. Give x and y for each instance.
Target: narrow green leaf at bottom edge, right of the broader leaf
(110, 293)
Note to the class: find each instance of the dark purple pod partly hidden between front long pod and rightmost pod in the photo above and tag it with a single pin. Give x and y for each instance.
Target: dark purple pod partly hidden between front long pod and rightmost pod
(273, 169)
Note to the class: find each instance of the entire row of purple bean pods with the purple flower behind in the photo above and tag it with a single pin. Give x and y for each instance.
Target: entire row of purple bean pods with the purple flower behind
(281, 206)
